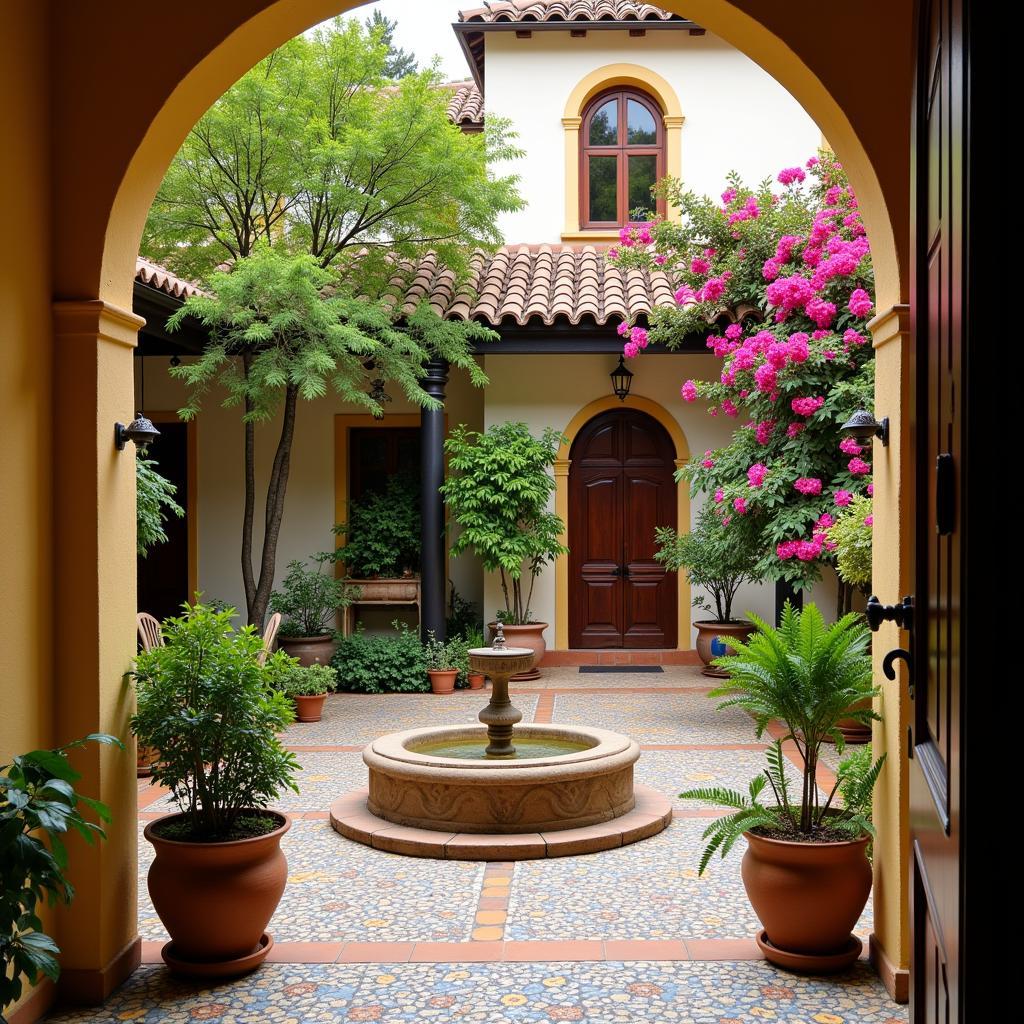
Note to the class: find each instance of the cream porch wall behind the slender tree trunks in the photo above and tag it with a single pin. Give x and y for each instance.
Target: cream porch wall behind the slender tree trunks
(310, 501)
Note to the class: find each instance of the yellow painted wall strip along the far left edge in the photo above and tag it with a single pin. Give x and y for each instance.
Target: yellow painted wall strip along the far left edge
(26, 382)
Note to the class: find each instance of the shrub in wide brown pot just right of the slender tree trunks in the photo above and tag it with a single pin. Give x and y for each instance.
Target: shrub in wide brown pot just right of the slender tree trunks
(309, 602)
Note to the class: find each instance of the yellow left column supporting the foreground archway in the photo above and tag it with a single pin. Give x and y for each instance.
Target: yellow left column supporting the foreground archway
(95, 632)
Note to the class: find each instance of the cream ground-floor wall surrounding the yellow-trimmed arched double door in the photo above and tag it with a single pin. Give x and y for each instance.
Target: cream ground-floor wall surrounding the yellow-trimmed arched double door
(548, 391)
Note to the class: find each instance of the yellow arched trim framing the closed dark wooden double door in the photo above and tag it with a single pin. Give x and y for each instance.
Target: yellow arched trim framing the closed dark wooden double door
(675, 432)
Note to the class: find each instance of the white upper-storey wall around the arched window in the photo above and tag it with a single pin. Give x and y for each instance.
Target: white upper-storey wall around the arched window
(738, 117)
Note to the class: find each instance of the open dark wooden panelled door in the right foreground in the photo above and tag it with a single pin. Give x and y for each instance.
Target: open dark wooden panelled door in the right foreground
(940, 330)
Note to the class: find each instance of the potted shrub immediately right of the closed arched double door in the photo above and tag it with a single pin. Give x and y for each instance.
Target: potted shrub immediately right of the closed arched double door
(718, 560)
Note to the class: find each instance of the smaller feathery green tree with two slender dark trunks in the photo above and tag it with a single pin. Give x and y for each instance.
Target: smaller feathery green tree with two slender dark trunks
(282, 330)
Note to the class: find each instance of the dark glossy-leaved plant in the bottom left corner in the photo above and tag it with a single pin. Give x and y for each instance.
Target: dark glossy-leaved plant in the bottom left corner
(38, 805)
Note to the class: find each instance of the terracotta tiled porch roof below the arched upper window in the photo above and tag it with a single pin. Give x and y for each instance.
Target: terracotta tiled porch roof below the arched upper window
(540, 284)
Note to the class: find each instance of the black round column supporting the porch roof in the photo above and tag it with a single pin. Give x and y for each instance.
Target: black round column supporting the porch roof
(433, 509)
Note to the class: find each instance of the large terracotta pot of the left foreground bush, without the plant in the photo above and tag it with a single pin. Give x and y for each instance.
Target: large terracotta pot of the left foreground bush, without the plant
(217, 900)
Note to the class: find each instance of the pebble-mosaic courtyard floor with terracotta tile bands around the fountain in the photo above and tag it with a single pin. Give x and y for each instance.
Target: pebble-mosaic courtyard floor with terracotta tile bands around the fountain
(630, 935)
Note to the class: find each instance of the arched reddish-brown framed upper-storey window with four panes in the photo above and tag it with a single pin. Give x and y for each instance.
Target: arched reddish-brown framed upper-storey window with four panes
(622, 156)
